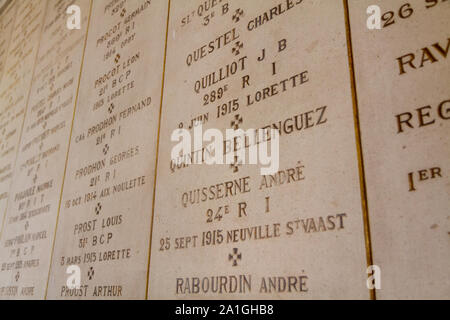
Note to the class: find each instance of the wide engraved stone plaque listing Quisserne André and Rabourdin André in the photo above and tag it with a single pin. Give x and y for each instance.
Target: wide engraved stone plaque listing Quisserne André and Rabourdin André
(226, 231)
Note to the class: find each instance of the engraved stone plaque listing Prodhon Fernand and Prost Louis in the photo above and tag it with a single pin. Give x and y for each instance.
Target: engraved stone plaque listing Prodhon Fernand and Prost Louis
(105, 219)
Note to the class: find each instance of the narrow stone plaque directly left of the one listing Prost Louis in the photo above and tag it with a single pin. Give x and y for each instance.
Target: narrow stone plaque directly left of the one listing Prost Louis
(28, 233)
